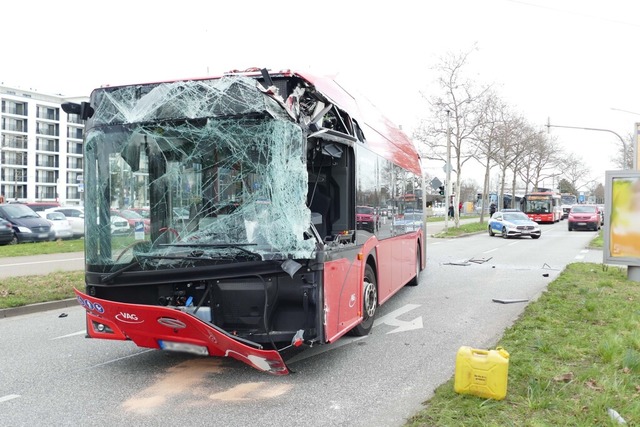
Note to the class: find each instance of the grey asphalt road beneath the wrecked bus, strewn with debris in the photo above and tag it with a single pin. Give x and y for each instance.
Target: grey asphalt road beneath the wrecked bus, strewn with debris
(51, 375)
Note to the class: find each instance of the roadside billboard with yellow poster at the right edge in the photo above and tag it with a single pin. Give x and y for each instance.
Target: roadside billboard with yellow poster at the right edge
(622, 218)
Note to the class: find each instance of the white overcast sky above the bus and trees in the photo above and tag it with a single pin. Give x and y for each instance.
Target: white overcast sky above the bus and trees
(572, 61)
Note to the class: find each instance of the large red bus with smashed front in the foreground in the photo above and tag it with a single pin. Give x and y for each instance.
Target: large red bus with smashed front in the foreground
(251, 182)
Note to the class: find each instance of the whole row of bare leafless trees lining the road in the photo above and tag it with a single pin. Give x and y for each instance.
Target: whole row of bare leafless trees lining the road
(483, 128)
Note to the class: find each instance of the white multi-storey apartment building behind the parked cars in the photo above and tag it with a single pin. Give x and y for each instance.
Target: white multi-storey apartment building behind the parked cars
(40, 148)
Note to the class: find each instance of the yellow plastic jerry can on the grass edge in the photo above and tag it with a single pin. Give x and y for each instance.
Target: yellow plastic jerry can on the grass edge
(482, 373)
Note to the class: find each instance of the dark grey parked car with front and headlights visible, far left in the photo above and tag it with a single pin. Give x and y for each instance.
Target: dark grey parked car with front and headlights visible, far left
(27, 225)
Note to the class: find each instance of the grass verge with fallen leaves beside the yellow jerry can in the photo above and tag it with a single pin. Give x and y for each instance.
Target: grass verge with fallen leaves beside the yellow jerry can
(574, 353)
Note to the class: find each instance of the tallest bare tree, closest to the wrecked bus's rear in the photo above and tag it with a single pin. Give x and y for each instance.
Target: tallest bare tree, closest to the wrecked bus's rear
(457, 106)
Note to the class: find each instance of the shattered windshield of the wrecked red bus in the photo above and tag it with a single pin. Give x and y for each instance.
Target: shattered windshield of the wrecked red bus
(217, 167)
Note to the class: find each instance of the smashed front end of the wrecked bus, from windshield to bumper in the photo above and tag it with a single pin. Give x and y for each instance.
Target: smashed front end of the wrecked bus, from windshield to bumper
(222, 258)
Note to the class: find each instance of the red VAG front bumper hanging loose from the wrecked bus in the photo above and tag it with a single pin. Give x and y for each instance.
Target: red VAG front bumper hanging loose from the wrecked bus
(171, 329)
